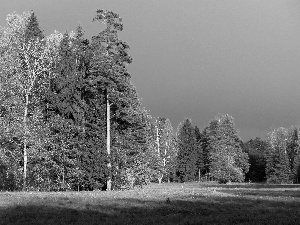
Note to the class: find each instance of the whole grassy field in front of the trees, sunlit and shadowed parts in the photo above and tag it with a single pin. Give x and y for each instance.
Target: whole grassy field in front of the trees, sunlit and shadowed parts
(191, 203)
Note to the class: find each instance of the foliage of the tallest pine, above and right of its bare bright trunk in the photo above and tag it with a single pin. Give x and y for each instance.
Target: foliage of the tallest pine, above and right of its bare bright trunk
(108, 71)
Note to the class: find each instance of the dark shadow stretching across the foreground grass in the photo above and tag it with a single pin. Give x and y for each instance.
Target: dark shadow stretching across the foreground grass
(193, 209)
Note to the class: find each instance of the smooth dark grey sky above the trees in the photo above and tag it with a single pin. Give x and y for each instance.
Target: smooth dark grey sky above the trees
(198, 58)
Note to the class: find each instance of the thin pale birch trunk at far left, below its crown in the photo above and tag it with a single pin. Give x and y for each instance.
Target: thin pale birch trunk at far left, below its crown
(25, 157)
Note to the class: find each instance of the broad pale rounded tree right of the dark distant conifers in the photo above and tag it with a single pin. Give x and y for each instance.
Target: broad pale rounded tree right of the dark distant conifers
(227, 161)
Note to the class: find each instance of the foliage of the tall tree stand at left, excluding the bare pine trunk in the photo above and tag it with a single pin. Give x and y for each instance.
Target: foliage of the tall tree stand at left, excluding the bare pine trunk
(53, 108)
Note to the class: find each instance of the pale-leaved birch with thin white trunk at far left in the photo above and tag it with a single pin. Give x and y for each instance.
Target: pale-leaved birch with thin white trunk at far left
(26, 65)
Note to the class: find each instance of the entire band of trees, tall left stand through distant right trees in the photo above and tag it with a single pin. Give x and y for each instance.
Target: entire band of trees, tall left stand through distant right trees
(71, 119)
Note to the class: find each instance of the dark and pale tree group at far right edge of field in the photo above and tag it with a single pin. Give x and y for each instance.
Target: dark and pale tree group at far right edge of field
(277, 159)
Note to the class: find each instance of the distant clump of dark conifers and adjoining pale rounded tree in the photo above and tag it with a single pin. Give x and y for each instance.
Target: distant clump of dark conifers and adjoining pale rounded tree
(215, 152)
